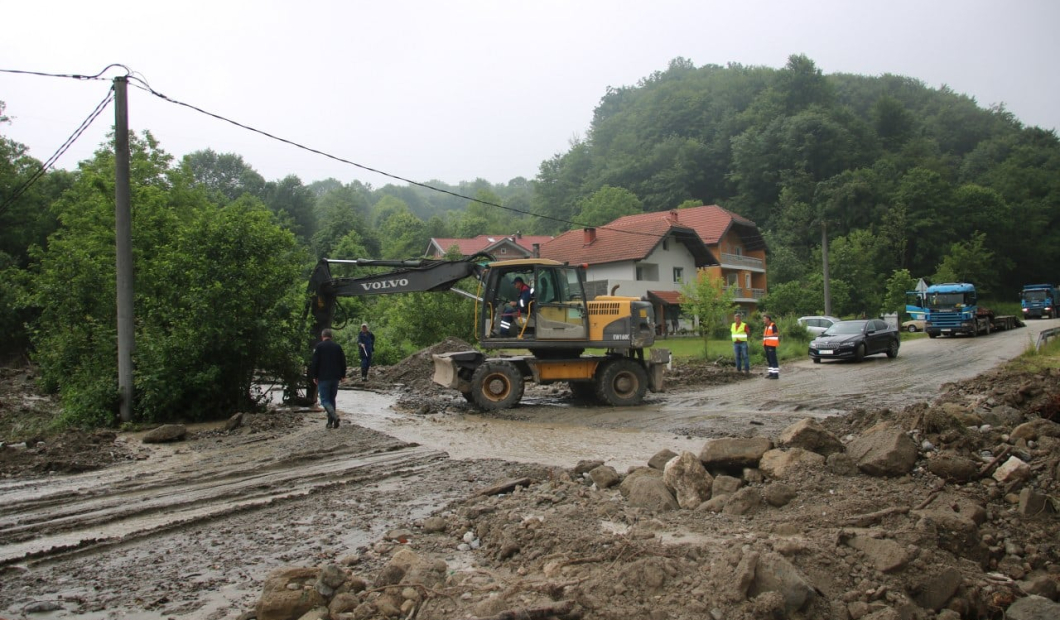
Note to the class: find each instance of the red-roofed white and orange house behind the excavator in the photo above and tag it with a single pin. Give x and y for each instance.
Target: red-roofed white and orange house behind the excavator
(652, 255)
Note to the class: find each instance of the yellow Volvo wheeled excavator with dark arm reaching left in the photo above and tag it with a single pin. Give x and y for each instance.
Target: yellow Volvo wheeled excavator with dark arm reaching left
(556, 324)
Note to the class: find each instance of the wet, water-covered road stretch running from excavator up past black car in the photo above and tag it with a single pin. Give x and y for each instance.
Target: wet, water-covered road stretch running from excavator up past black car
(550, 430)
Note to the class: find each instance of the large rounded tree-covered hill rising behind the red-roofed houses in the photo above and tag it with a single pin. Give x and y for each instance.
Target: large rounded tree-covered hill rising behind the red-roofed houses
(899, 172)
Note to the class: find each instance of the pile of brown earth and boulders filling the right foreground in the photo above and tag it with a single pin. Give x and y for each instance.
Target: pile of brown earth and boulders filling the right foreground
(940, 511)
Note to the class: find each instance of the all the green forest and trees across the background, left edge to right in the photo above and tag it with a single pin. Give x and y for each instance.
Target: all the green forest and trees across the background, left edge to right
(907, 182)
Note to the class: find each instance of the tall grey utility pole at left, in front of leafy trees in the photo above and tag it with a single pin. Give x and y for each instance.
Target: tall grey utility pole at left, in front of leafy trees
(123, 235)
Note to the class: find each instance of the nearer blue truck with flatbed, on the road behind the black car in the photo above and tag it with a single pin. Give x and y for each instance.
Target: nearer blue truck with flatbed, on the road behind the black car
(953, 309)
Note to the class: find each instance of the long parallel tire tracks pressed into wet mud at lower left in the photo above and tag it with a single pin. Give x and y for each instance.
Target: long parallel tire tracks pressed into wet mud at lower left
(44, 521)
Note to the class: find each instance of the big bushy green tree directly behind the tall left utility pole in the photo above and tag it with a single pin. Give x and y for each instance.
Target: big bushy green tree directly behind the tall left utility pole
(218, 296)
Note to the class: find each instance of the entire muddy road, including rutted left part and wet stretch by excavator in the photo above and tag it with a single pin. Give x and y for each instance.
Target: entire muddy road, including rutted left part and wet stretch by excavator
(192, 529)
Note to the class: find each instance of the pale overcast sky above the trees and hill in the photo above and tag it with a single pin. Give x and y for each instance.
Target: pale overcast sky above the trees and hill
(460, 90)
